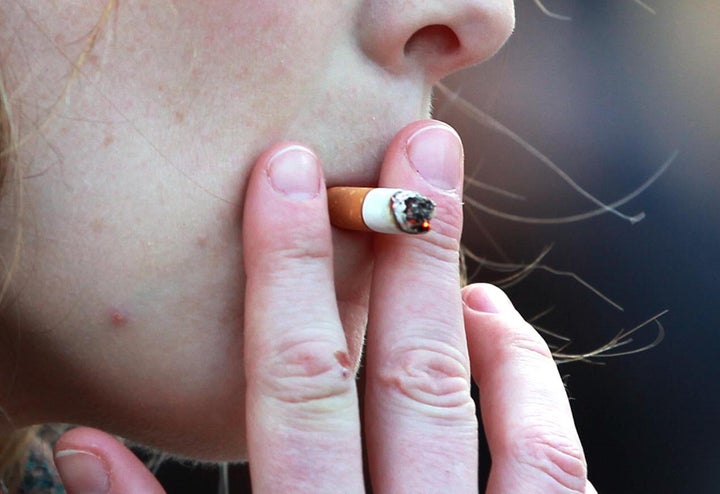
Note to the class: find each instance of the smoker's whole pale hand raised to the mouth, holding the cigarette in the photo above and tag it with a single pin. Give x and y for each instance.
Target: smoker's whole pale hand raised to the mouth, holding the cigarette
(425, 337)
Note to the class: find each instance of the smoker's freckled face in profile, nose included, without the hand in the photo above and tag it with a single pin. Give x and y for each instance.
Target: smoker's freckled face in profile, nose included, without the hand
(138, 122)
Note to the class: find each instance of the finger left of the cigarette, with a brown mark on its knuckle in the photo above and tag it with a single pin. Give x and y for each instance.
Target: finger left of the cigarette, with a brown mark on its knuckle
(302, 410)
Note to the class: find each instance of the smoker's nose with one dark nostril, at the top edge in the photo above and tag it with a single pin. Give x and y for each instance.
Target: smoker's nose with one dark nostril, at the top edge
(436, 37)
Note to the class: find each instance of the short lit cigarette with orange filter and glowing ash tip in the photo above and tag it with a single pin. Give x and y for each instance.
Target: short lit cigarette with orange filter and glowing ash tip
(380, 210)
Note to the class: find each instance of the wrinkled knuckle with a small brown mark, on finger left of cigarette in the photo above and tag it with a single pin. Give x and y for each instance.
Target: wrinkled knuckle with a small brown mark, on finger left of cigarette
(310, 374)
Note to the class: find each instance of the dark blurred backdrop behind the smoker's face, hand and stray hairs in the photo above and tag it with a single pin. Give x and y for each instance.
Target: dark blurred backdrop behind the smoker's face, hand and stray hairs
(609, 97)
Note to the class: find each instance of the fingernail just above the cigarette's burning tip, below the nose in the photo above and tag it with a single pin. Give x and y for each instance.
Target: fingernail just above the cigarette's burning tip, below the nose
(436, 153)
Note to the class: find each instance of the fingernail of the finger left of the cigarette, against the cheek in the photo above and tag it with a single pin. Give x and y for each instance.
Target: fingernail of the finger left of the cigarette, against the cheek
(295, 173)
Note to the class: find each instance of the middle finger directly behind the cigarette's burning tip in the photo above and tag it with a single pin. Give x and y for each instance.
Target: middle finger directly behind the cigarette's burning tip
(421, 425)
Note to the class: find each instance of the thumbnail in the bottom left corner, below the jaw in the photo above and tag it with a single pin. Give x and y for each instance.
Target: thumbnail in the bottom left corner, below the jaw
(82, 472)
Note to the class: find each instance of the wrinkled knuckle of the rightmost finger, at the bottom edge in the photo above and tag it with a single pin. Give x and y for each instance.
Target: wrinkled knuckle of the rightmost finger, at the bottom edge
(553, 459)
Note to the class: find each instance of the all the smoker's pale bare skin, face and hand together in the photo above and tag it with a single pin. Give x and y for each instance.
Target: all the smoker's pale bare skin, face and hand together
(181, 285)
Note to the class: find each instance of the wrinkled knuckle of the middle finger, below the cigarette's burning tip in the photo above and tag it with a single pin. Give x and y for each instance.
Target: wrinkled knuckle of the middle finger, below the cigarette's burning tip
(435, 378)
